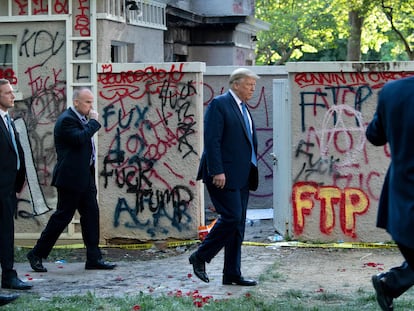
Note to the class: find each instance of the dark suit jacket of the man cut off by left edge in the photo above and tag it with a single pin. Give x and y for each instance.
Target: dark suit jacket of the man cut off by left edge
(11, 179)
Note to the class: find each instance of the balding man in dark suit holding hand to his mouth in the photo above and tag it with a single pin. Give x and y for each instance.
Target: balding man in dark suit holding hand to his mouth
(74, 178)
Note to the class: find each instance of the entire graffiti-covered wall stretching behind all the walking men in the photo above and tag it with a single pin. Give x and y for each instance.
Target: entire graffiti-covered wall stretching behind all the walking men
(151, 139)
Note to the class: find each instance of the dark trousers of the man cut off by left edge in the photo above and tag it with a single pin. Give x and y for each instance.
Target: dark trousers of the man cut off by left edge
(8, 203)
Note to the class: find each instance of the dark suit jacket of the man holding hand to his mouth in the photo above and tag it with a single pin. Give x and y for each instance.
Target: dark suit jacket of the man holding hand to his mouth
(74, 149)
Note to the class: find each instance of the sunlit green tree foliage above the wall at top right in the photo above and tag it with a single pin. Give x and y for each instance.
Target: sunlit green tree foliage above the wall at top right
(329, 30)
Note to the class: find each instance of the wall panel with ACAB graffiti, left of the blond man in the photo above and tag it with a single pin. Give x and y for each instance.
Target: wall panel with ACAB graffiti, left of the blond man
(149, 149)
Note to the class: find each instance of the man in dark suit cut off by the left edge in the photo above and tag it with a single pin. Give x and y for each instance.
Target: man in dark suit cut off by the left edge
(12, 178)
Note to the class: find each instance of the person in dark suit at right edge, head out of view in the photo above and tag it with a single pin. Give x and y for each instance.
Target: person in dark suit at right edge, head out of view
(393, 124)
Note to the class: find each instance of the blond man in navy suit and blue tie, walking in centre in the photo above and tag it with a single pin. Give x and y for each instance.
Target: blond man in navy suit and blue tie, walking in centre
(228, 167)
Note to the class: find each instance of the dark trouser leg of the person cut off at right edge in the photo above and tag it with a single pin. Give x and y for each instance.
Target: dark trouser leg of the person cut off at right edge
(399, 279)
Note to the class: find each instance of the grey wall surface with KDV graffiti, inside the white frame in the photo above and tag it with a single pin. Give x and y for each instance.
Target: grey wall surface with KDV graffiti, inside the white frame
(40, 84)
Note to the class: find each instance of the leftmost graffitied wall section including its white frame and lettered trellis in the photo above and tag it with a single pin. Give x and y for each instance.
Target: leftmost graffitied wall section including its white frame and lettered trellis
(41, 46)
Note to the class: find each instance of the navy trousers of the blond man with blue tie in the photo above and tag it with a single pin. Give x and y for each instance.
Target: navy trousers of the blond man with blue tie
(228, 232)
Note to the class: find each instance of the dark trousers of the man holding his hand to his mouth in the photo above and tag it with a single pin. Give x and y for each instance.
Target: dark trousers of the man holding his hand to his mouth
(68, 202)
